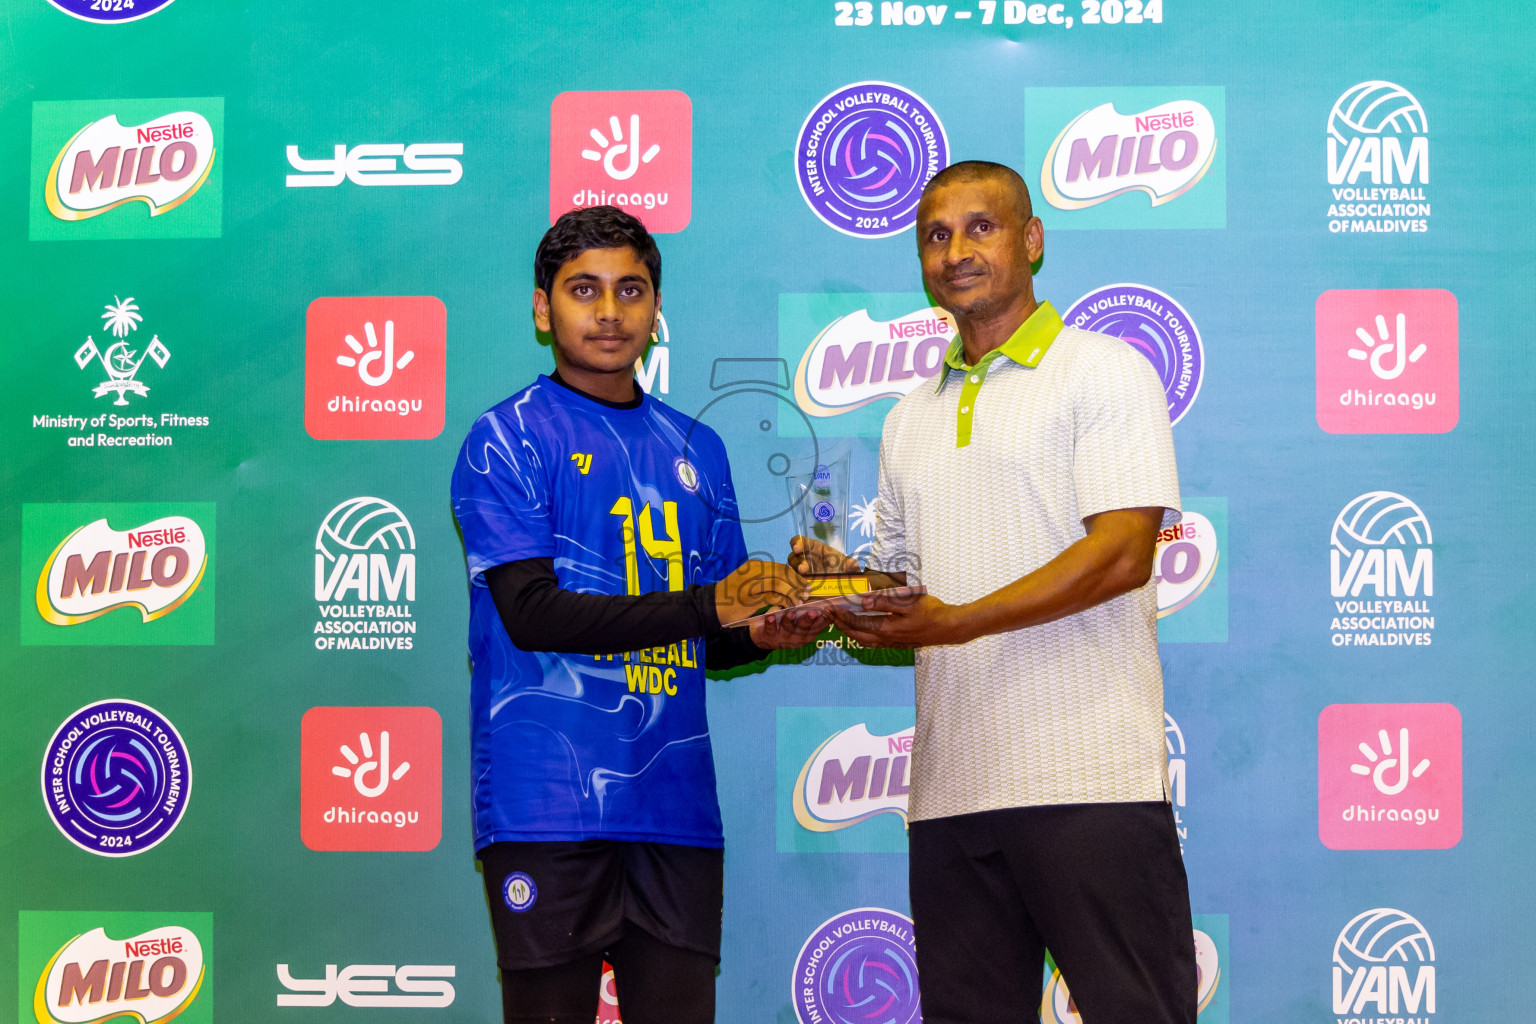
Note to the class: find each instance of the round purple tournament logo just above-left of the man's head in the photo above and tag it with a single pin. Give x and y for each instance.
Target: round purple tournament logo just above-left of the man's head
(866, 154)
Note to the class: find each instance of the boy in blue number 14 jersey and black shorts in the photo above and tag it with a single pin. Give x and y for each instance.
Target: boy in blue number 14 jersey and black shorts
(604, 553)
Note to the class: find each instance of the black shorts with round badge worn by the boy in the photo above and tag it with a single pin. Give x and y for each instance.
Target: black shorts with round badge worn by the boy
(554, 903)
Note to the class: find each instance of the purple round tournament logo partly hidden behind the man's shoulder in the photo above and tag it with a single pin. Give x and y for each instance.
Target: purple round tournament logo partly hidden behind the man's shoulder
(1156, 326)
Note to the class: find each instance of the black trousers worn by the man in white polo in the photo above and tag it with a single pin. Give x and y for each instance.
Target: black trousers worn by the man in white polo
(1101, 885)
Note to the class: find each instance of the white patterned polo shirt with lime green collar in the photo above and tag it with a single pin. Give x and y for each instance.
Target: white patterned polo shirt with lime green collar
(985, 478)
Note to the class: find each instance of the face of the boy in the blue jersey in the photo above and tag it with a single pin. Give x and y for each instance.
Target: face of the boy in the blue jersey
(601, 311)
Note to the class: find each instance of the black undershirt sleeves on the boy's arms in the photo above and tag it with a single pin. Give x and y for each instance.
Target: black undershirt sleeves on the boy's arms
(541, 616)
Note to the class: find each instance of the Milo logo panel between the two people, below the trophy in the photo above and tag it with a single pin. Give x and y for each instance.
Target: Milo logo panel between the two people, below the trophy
(842, 779)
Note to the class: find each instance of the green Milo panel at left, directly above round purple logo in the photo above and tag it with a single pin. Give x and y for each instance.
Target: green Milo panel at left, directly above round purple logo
(119, 573)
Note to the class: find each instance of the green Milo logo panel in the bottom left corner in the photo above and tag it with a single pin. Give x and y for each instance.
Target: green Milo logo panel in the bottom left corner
(84, 968)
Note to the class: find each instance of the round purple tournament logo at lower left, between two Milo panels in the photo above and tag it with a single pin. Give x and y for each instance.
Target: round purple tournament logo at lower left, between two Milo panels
(116, 778)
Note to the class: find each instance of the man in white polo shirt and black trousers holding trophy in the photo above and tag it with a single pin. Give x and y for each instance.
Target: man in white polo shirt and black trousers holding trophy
(1025, 491)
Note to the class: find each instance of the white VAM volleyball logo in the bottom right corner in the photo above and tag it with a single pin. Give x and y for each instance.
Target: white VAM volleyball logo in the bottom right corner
(1385, 965)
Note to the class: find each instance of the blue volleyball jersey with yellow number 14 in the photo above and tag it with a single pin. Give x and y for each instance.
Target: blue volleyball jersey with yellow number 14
(626, 501)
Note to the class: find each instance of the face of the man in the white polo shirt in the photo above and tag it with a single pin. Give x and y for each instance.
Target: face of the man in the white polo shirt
(978, 246)
